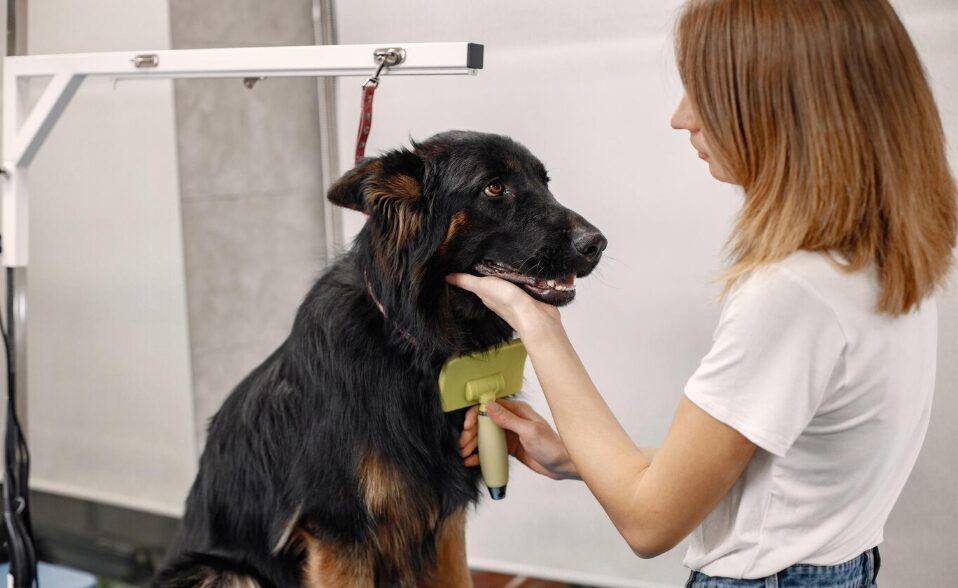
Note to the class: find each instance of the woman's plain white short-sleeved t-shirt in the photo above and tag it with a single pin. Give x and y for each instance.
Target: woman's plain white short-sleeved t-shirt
(837, 399)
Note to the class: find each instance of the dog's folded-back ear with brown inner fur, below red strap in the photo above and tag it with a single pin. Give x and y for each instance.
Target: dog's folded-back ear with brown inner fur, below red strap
(377, 180)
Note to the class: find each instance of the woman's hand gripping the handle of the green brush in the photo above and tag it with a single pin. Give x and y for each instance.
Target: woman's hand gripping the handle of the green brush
(528, 436)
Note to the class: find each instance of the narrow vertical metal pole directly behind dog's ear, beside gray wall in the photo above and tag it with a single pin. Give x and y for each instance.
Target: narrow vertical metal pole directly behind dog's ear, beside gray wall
(324, 22)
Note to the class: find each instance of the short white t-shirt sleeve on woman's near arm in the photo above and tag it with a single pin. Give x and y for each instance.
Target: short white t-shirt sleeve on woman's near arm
(773, 356)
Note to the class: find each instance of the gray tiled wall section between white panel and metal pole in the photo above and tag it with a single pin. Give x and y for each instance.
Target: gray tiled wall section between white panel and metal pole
(251, 190)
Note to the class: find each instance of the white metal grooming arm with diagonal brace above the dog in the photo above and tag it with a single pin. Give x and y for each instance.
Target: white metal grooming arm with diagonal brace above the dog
(24, 133)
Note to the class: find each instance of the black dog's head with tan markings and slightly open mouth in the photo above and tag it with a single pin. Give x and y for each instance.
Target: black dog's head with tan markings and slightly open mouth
(465, 202)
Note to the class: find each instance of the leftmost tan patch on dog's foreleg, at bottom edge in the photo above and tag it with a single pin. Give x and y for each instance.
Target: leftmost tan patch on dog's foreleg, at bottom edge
(331, 566)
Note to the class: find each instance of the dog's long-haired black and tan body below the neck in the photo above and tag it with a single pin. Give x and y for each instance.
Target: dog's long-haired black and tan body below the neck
(335, 445)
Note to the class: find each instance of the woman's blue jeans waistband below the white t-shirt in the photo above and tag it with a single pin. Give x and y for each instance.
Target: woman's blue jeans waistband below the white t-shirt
(861, 572)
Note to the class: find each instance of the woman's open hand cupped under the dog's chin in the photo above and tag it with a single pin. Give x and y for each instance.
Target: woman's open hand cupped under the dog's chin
(523, 312)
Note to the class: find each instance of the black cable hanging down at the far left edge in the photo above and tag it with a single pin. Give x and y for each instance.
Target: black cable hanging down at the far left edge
(16, 471)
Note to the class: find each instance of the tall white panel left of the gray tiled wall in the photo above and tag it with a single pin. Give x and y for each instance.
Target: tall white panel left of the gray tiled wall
(110, 409)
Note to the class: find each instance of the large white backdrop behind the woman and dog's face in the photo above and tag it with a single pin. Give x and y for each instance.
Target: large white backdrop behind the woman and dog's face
(589, 87)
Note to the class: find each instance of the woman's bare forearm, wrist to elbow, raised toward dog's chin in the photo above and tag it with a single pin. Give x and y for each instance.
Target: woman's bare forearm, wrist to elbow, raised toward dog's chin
(604, 456)
